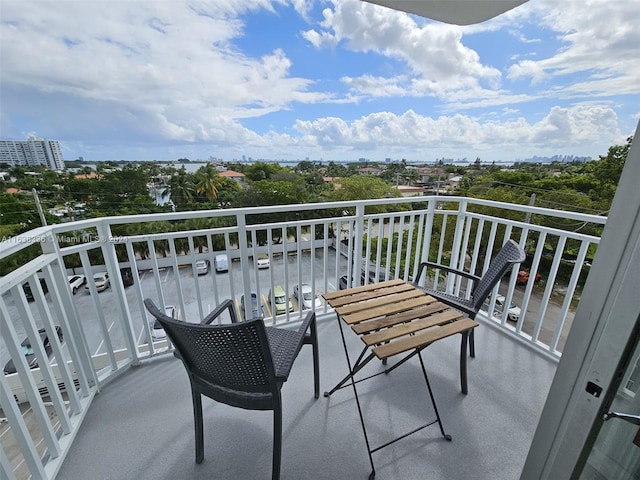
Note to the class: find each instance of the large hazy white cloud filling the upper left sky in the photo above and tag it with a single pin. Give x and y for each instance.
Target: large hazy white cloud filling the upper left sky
(171, 61)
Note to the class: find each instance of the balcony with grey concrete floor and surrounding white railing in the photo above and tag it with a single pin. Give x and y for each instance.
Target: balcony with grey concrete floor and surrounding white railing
(86, 409)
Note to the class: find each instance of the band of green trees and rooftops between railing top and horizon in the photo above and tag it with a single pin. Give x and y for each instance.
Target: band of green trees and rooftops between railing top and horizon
(124, 189)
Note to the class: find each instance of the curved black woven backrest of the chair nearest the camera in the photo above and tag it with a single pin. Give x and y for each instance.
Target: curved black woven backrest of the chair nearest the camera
(234, 356)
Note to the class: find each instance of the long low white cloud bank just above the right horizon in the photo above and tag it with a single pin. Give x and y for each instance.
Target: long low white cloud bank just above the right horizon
(560, 128)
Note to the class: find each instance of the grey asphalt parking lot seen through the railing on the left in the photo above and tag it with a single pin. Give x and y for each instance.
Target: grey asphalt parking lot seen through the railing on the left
(194, 296)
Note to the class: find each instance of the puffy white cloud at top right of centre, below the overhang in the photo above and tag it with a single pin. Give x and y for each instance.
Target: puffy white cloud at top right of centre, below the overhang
(434, 53)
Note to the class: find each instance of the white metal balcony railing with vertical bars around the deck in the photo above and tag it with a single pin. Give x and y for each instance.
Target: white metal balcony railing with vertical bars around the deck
(323, 245)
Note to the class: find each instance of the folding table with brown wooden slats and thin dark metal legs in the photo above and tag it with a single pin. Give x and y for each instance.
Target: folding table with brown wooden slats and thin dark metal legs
(393, 318)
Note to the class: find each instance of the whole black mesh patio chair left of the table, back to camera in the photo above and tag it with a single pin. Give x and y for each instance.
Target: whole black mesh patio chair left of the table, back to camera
(240, 364)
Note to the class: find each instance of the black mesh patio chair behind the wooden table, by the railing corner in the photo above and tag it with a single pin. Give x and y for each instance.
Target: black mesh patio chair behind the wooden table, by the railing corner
(510, 254)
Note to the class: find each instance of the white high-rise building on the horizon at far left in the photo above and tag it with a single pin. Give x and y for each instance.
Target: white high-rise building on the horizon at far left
(32, 152)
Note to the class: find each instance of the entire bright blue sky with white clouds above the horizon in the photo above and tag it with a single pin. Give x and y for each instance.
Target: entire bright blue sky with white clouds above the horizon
(332, 80)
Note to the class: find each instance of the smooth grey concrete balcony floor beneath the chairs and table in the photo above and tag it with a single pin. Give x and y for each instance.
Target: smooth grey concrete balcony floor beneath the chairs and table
(141, 424)
